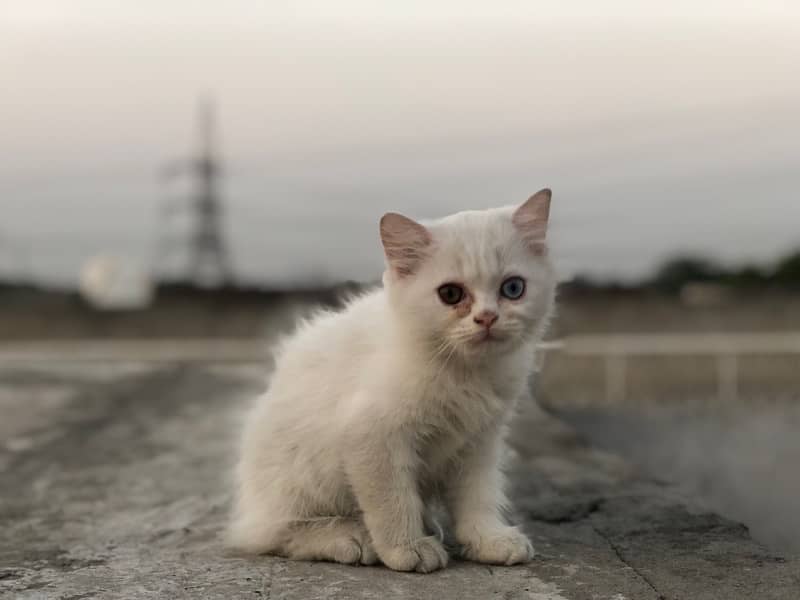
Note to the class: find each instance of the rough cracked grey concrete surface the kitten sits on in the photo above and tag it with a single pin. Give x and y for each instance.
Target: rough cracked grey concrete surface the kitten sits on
(114, 483)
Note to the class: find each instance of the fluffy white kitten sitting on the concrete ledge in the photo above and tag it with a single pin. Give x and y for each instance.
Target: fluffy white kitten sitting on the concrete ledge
(402, 400)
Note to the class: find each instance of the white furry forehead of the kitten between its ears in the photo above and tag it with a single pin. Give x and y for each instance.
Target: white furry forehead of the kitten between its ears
(478, 243)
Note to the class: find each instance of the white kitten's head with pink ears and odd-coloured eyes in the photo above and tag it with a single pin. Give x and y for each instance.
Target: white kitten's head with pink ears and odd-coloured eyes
(474, 284)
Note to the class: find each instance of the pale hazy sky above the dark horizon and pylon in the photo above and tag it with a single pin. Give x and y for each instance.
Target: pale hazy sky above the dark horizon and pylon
(661, 127)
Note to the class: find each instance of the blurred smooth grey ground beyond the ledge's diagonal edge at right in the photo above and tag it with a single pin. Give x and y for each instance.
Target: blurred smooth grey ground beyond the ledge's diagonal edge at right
(736, 458)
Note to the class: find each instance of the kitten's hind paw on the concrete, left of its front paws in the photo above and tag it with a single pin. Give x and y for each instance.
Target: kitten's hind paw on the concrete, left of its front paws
(337, 539)
